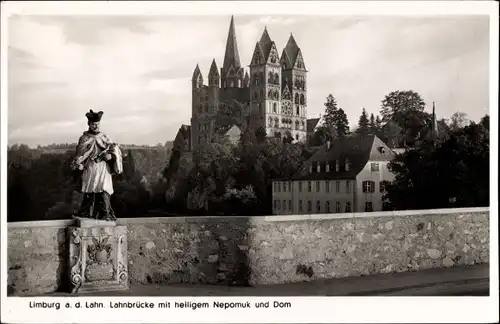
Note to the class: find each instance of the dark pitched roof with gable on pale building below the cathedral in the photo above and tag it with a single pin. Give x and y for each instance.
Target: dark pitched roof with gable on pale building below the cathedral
(357, 150)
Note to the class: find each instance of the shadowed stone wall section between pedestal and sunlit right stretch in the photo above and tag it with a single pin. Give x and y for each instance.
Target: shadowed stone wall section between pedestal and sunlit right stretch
(194, 251)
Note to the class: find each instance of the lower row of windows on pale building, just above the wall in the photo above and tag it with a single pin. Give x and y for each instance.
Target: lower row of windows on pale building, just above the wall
(286, 206)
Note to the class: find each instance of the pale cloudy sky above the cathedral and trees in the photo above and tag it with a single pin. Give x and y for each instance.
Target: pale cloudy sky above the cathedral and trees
(138, 69)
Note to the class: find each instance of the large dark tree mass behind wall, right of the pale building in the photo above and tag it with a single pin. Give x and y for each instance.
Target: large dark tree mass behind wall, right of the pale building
(455, 173)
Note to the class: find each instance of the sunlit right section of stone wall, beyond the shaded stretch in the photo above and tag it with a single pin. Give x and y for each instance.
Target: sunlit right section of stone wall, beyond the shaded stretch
(285, 249)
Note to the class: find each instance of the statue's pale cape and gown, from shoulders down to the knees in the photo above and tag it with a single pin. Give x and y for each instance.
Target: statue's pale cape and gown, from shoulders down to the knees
(96, 176)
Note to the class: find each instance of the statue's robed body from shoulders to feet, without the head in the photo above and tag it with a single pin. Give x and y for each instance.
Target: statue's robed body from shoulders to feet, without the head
(96, 178)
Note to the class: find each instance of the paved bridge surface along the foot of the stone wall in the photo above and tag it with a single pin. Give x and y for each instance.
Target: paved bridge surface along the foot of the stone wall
(457, 281)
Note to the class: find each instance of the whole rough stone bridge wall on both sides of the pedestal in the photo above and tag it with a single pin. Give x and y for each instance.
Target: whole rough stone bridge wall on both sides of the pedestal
(260, 250)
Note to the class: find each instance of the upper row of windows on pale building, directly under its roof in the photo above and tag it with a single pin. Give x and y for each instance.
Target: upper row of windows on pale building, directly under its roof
(368, 186)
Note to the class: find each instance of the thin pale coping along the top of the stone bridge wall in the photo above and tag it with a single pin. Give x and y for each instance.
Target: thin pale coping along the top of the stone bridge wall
(256, 219)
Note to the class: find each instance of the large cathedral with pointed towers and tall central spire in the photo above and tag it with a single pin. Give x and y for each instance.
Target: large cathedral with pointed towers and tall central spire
(274, 89)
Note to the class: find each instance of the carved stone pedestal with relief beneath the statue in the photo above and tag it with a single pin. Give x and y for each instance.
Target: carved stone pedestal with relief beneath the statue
(98, 256)
